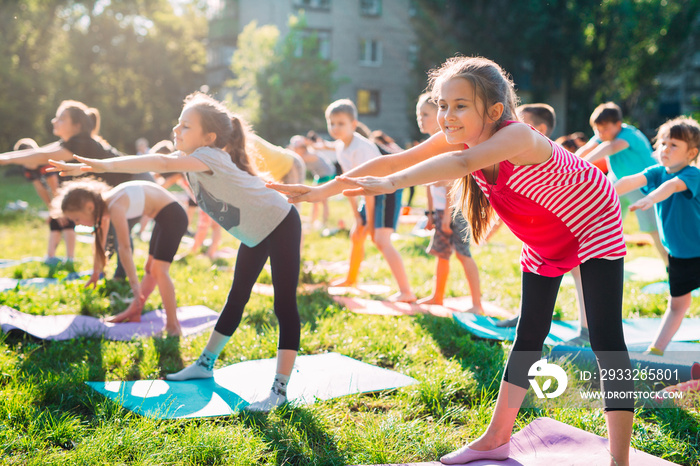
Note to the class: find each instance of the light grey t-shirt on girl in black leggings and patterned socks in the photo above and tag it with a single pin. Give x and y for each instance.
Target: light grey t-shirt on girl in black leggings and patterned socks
(235, 199)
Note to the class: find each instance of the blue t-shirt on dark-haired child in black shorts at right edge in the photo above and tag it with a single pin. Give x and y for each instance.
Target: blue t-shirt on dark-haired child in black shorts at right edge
(678, 217)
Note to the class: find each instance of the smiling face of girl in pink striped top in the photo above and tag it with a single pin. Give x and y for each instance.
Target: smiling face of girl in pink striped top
(461, 113)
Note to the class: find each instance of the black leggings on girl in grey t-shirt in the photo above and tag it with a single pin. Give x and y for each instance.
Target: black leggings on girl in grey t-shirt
(282, 247)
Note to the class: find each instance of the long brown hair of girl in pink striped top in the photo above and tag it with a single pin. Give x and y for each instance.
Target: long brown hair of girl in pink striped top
(491, 85)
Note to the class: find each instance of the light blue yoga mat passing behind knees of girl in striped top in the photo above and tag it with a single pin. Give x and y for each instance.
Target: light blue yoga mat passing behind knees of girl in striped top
(636, 330)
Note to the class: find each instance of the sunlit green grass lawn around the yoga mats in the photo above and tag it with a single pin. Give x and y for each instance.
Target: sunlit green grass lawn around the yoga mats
(49, 416)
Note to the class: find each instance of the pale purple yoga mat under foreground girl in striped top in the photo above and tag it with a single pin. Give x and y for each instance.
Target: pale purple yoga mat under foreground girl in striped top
(546, 442)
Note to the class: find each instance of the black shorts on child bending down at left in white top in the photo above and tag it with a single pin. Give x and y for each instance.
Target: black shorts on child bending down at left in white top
(170, 226)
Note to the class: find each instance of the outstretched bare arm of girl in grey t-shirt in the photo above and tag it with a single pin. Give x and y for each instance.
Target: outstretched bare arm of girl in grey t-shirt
(158, 163)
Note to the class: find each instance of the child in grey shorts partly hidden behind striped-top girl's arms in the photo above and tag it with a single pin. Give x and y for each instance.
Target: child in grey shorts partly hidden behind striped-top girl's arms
(451, 229)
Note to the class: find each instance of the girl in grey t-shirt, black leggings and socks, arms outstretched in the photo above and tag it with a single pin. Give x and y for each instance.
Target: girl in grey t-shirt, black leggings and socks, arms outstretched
(212, 152)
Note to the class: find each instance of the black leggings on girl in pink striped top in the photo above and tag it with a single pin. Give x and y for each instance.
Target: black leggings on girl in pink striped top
(602, 294)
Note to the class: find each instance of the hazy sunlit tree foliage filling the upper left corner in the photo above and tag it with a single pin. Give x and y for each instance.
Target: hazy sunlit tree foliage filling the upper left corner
(134, 60)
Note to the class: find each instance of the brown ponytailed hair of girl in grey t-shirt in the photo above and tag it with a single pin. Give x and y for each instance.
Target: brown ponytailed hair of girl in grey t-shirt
(230, 129)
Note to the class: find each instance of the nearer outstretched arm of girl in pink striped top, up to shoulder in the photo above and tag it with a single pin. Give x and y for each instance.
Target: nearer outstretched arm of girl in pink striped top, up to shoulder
(517, 143)
